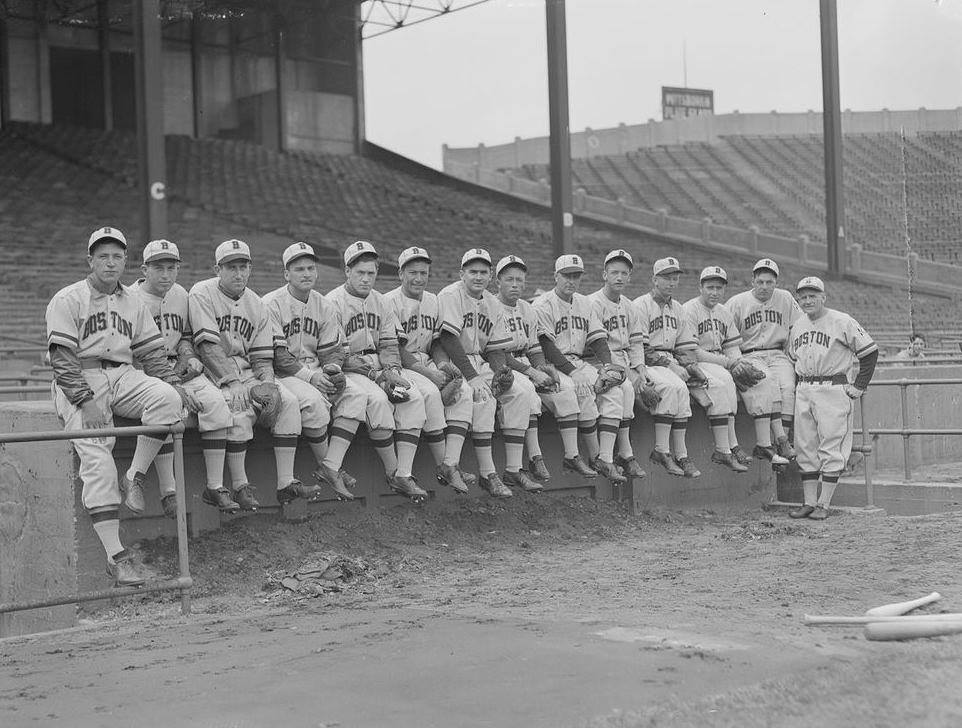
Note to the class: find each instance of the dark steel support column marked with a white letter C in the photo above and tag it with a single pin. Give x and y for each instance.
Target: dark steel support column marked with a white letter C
(148, 82)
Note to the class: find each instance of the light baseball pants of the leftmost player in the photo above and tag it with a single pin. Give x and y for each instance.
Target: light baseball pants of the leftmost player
(124, 391)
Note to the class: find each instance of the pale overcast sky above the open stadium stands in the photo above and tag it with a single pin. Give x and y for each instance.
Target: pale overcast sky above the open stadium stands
(479, 75)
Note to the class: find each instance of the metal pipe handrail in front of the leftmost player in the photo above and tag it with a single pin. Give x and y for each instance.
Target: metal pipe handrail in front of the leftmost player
(184, 582)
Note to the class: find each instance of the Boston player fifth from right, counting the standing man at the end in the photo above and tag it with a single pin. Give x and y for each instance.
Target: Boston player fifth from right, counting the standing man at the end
(626, 341)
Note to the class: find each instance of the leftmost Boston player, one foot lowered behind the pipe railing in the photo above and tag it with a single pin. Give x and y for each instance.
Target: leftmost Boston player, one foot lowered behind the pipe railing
(96, 329)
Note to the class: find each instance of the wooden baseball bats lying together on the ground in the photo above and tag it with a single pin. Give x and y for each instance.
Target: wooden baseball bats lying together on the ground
(893, 621)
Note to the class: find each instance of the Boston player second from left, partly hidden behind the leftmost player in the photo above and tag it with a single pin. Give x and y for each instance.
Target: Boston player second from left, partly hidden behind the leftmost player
(166, 300)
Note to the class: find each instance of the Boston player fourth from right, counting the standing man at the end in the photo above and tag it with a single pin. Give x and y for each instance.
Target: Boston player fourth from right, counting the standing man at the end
(670, 338)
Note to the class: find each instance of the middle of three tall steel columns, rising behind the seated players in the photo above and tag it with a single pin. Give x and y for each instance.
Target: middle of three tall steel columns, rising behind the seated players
(562, 219)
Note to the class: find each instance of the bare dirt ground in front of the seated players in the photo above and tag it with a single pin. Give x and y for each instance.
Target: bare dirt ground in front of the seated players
(538, 611)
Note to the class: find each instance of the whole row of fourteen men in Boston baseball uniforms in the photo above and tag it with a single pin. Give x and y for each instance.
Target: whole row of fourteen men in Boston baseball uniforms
(417, 366)
